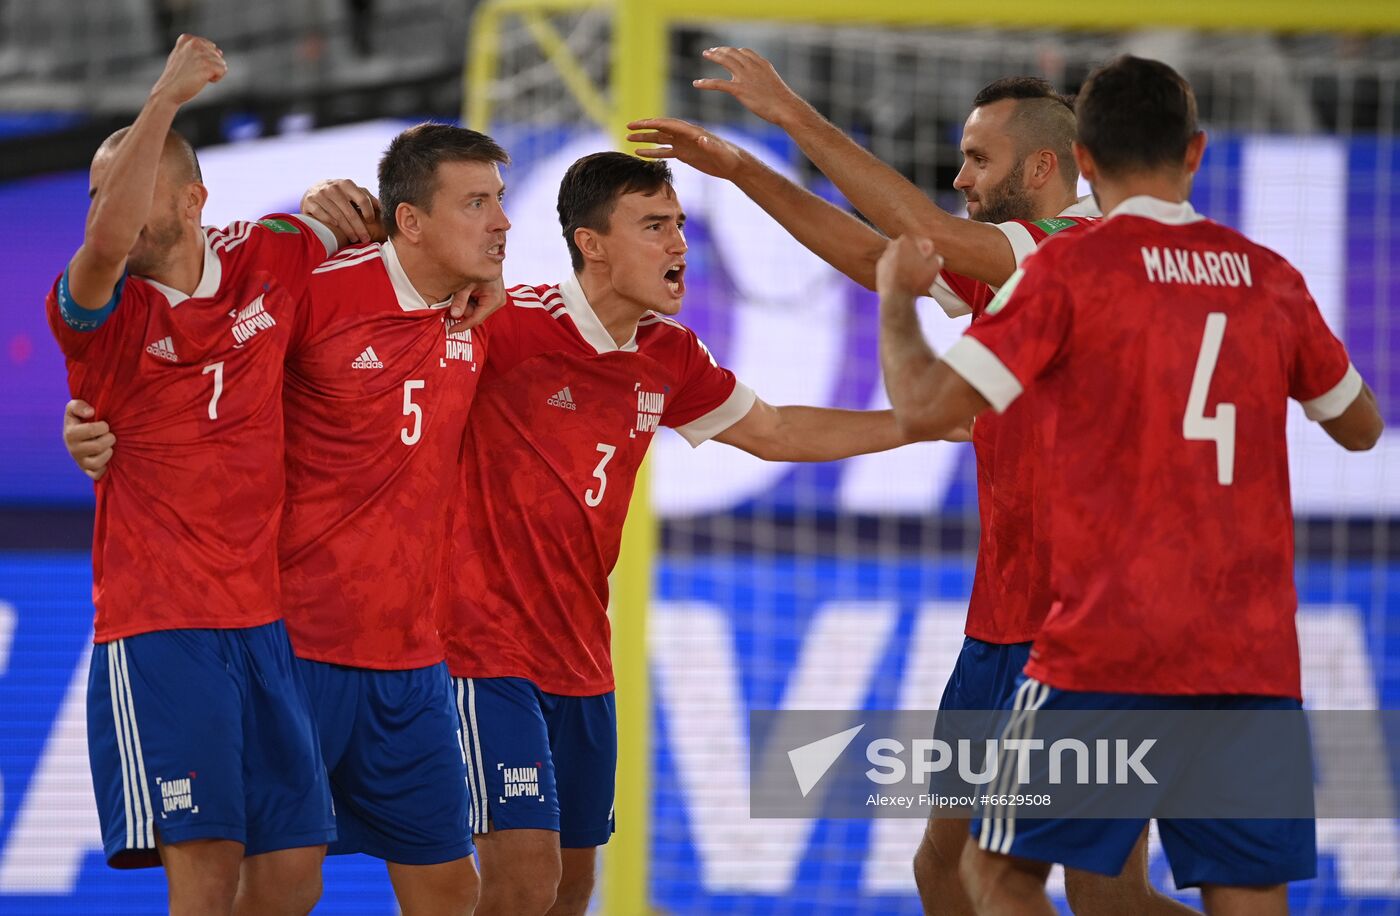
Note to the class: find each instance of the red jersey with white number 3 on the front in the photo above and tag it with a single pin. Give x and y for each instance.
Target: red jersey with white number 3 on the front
(563, 422)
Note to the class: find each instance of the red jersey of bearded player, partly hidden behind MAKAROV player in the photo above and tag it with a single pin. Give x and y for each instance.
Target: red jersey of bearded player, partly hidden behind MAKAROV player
(1011, 586)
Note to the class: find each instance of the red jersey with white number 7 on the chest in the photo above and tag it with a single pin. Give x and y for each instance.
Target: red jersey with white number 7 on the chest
(187, 516)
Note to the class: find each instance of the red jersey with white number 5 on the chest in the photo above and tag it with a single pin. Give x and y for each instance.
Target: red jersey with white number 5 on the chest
(377, 397)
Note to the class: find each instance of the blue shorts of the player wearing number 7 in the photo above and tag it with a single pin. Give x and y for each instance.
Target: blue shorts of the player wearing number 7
(204, 735)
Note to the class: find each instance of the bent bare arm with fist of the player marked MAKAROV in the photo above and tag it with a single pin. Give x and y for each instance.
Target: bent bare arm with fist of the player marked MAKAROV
(930, 400)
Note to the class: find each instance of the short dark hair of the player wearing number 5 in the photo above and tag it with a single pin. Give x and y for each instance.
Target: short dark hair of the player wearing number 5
(408, 170)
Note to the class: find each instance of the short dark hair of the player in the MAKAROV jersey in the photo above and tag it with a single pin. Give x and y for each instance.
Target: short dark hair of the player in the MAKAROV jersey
(1136, 116)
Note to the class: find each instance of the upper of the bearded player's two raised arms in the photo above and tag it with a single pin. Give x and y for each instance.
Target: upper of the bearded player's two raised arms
(887, 198)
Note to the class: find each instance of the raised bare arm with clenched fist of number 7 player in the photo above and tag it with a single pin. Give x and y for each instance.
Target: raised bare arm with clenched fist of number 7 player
(122, 198)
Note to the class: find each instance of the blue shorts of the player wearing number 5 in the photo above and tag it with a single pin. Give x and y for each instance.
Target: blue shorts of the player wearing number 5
(397, 770)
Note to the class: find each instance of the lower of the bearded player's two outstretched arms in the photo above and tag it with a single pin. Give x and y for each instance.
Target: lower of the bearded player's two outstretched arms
(835, 236)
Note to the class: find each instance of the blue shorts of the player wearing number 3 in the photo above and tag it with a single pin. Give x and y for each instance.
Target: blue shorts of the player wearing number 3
(540, 761)
